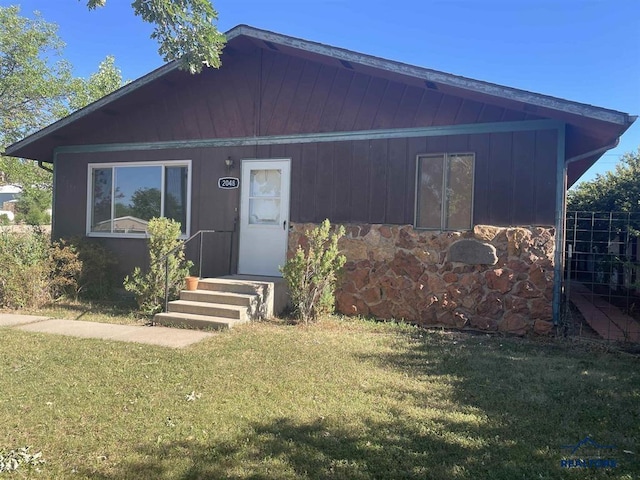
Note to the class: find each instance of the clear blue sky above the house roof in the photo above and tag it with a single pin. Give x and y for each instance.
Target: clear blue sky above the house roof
(582, 50)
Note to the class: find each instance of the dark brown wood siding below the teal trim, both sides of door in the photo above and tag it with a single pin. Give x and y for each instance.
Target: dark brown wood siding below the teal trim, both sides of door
(367, 181)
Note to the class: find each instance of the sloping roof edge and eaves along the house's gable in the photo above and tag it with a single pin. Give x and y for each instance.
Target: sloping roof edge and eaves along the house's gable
(589, 127)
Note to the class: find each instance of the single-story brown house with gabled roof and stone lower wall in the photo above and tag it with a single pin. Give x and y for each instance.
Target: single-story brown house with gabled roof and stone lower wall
(451, 189)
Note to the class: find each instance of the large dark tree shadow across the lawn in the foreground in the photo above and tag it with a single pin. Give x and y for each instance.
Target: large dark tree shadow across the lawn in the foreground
(503, 413)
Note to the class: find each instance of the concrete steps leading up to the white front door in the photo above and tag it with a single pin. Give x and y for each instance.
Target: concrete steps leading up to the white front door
(220, 303)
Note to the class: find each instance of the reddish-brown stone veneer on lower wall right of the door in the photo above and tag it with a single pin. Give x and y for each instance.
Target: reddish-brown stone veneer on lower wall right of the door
(492, 278)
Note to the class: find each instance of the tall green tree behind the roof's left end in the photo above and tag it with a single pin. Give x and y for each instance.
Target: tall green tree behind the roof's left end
(37, 88)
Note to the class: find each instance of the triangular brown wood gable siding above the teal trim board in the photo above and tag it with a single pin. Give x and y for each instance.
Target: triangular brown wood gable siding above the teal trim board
(269, 93)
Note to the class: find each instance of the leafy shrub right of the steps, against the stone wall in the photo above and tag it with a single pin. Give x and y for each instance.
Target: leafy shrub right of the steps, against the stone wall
(312, 273)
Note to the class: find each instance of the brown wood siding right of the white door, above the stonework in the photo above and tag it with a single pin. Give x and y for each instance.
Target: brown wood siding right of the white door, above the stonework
(374, 181)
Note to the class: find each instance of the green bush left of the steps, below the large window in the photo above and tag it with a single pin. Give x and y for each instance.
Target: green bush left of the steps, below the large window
(149, 288)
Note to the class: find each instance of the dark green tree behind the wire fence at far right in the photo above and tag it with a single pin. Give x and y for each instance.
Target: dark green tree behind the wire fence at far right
(617, 191)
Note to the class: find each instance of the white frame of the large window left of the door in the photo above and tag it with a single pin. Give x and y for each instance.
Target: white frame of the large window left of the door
(163, 163)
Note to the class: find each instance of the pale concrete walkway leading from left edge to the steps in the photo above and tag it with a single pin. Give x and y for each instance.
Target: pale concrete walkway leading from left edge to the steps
(162, 336)
